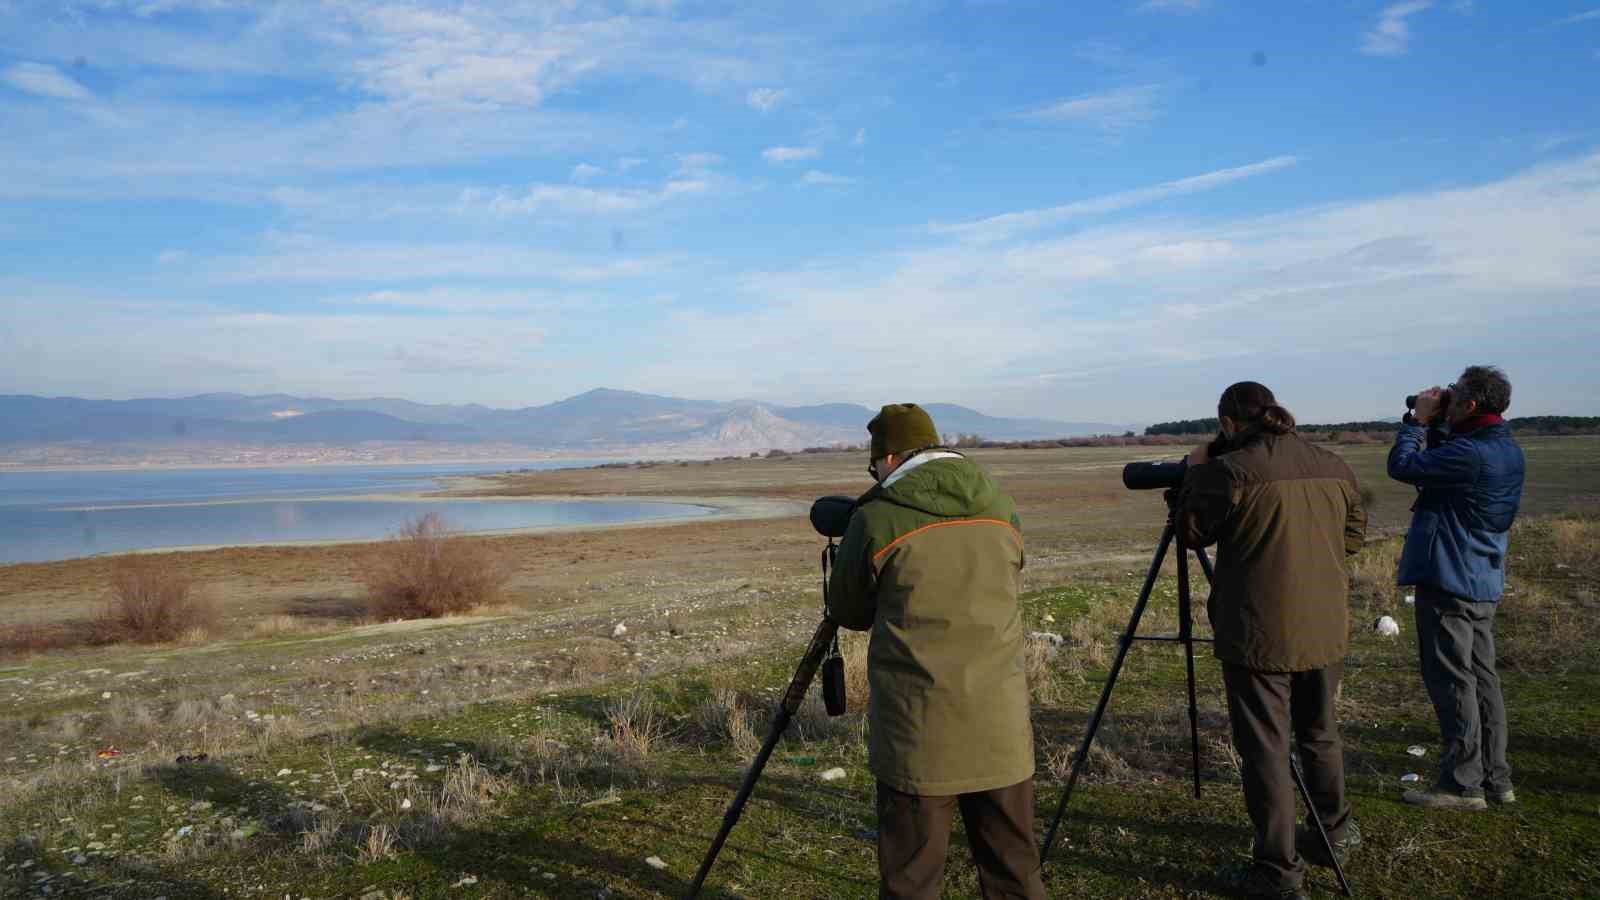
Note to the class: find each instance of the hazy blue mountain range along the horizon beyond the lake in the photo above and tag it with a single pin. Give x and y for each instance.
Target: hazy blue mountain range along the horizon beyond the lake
(598, 420)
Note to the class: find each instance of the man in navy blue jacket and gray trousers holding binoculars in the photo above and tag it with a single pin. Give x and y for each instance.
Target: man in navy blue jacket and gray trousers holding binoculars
(1458, 452)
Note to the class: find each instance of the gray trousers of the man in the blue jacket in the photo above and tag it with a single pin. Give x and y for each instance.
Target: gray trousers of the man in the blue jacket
(1455, 641)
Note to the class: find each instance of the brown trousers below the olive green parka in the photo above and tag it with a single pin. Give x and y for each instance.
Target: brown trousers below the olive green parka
(914, 834)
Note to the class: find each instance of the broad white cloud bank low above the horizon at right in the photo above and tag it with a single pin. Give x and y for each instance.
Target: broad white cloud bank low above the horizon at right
(1190, 307)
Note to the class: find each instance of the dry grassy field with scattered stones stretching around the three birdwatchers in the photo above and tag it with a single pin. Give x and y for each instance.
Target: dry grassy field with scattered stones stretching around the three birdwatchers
(537, 750)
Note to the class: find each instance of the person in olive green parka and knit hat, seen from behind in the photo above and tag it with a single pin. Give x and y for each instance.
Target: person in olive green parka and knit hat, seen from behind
(930, 565)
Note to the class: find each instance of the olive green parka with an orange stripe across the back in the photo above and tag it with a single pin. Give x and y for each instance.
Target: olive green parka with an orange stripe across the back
(930, 565)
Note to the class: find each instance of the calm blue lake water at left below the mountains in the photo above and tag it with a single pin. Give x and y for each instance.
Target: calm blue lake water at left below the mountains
(65, 515)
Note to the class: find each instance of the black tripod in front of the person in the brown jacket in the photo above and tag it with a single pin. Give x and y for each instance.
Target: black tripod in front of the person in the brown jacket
(1188, 640)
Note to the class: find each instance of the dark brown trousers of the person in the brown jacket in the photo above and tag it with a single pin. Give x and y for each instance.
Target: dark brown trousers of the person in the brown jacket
(1265, 709)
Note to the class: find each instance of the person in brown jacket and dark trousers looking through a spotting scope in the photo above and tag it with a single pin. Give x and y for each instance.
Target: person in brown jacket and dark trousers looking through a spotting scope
(1284, 516)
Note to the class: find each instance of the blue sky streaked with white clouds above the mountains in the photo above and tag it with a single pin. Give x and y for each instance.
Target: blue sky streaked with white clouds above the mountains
(1089, 212)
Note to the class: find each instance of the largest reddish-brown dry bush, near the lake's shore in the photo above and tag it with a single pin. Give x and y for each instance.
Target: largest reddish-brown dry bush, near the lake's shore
(426, 573)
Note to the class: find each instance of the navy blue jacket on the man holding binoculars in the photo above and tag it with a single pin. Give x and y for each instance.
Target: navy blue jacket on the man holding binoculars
(1470, 491)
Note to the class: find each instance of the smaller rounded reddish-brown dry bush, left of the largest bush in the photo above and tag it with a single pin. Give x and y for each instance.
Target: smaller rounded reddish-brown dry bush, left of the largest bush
(151, 601)
